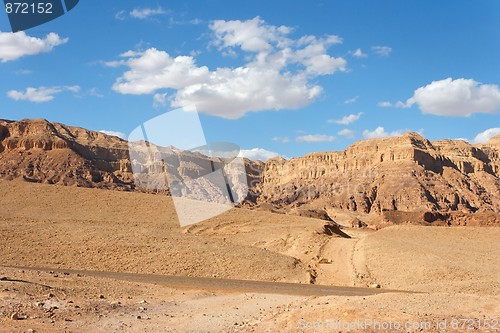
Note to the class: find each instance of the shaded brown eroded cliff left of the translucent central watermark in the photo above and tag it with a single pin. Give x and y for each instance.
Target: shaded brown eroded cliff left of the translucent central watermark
(40, 151)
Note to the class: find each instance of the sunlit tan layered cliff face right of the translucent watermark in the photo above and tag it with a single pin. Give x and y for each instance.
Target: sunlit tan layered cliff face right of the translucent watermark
(406, 173)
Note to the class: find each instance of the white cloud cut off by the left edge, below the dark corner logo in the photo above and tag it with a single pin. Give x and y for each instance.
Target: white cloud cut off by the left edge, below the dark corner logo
(16, 45)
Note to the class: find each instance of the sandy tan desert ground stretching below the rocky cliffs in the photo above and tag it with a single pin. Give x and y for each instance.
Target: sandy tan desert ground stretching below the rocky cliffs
(91, 260)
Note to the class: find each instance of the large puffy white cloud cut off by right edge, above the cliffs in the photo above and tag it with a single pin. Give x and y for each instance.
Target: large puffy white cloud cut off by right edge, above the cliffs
(460, 98)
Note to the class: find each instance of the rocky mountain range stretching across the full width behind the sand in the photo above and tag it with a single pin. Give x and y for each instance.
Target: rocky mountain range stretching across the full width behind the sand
(404, 174)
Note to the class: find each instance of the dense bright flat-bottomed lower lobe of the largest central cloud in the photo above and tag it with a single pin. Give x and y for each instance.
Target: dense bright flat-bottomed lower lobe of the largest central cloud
(230, 93)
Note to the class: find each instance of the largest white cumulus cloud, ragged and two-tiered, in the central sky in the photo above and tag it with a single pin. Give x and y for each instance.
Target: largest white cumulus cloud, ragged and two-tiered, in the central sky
(278, 73)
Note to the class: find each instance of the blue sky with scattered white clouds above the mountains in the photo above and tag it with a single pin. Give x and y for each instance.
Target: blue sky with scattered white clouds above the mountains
(283, 77)
